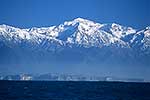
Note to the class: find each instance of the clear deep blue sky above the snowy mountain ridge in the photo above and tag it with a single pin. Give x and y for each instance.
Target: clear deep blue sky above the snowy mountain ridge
(29, 13)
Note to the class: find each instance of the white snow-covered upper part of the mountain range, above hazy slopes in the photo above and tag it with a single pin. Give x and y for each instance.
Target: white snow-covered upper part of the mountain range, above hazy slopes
(81, 32)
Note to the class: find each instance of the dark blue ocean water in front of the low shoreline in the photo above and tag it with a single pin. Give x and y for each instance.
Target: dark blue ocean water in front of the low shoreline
(55, 90)
